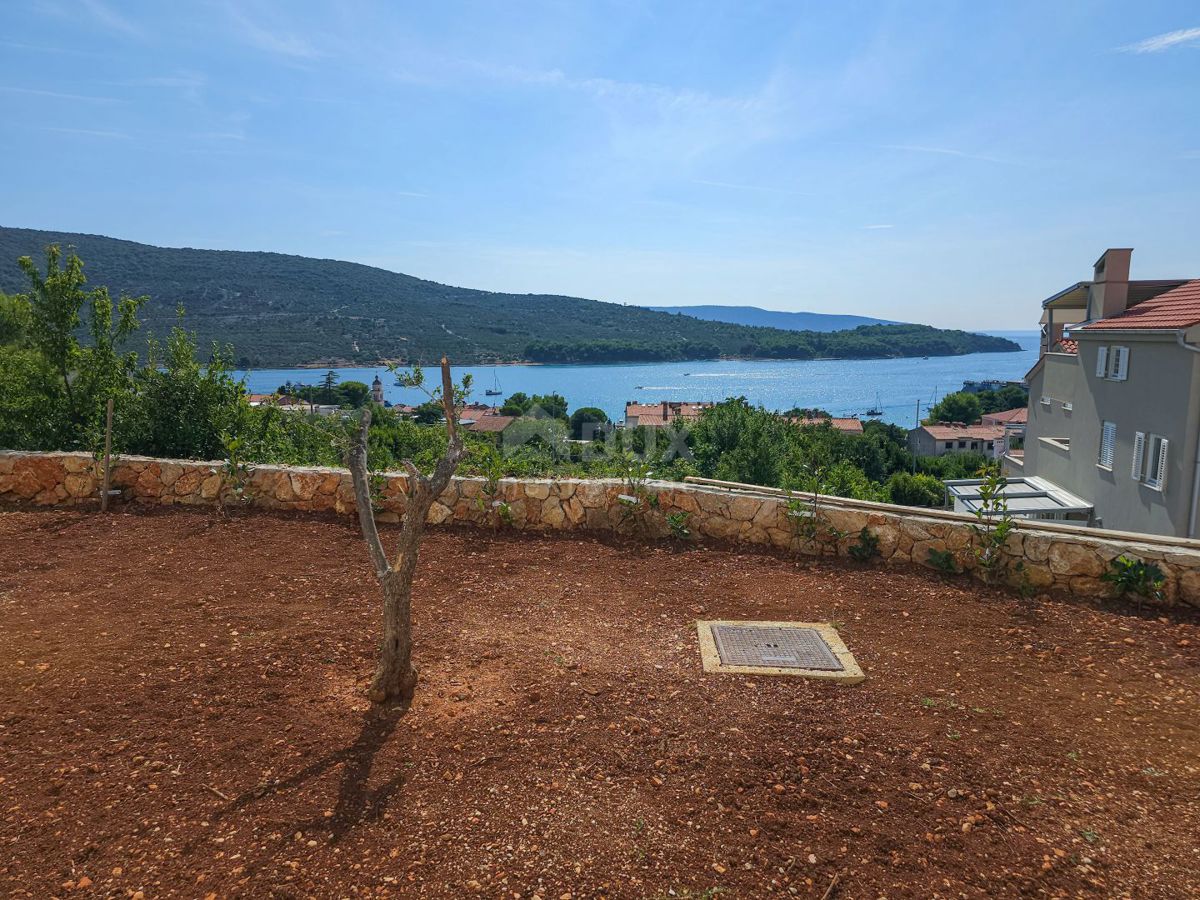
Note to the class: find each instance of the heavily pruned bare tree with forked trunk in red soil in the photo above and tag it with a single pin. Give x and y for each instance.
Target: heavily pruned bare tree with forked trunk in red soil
(395, 677)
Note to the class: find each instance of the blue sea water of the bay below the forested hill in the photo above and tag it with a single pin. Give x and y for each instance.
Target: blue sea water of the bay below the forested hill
(843, 387)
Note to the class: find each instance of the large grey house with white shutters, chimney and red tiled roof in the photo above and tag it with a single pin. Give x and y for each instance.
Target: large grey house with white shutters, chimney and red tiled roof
(1114, 412)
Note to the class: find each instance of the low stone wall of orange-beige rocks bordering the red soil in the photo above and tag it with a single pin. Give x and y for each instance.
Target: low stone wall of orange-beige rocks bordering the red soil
(1053, 556)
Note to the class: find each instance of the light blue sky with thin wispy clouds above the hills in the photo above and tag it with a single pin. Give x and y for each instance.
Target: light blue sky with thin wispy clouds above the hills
(940, 161)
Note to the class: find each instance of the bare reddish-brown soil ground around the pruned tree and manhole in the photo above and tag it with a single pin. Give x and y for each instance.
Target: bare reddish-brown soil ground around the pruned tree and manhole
(183, 717)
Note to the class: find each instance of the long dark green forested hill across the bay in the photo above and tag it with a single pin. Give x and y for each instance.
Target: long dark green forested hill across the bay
(280, 310)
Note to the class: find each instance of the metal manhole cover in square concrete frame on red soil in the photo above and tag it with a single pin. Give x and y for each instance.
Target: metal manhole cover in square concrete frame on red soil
(800, 649)
